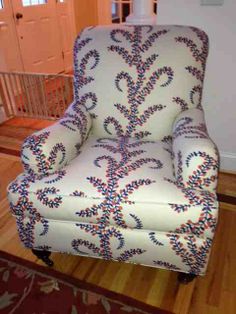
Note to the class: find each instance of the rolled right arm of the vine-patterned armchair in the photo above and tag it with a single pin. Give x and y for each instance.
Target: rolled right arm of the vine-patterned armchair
(196, 159)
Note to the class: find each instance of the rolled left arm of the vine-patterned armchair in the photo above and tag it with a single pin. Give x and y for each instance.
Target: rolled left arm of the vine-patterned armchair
(50, 149)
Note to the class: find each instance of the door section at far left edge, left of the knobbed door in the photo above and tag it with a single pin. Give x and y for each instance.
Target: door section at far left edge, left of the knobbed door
(10, 59)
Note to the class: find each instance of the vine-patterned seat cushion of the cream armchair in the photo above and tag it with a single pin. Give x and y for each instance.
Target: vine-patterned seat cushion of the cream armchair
(123, 182)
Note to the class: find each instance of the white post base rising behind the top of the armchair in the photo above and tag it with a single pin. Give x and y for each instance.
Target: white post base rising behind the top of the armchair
(142, 13)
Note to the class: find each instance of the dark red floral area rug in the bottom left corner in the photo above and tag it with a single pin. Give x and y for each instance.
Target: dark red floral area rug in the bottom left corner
(27, 288)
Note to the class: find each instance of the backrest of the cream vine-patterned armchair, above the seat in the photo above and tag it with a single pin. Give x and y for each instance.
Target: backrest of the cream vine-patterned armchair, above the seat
(134, 80)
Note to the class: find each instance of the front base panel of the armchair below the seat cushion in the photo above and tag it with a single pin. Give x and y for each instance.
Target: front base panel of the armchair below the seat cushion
(182, 252)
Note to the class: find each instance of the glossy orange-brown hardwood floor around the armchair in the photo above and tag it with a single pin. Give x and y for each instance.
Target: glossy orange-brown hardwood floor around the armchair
(215, 293)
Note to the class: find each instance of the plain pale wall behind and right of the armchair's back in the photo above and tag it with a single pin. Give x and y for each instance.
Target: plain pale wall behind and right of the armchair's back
(219, 98)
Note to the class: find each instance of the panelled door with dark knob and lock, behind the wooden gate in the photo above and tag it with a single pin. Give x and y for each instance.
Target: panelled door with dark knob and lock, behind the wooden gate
(38, 35)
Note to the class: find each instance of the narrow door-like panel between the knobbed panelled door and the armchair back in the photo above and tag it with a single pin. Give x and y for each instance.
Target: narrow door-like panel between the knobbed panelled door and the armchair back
(66, 23)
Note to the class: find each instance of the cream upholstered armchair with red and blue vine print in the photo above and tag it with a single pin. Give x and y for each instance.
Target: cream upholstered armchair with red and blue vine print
(129, 173)
